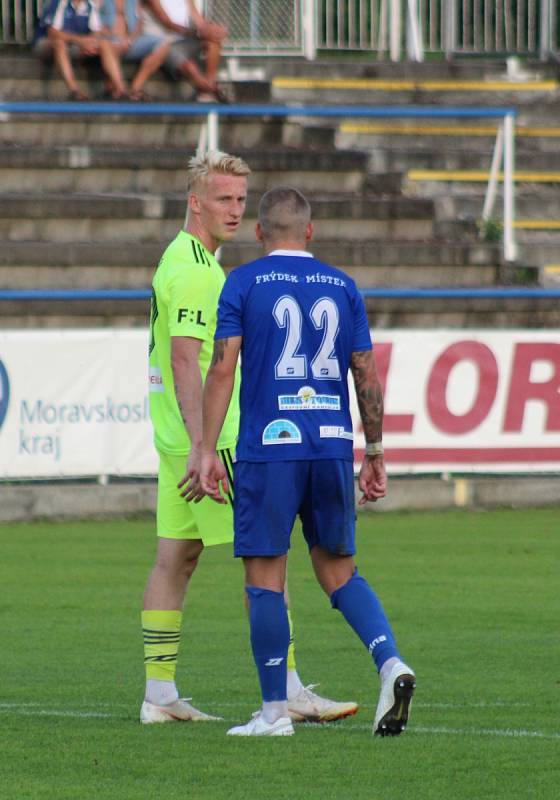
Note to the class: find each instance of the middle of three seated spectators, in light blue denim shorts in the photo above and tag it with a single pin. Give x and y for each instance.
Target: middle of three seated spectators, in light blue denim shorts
(123, 25)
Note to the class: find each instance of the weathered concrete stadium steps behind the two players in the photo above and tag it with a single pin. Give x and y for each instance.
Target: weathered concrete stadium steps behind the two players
(89, 202)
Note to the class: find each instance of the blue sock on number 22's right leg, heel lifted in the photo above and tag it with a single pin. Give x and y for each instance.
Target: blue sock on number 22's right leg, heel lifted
(362, 609)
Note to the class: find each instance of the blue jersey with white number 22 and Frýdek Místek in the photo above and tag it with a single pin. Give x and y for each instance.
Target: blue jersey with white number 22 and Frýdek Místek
(300, 320)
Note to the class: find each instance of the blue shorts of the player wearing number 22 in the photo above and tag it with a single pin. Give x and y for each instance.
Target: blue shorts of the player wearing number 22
(270, 495)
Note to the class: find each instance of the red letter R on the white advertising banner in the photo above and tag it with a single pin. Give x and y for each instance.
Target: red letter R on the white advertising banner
(522, 389)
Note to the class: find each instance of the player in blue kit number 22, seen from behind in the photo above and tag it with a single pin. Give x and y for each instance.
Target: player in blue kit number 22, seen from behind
(299, 325)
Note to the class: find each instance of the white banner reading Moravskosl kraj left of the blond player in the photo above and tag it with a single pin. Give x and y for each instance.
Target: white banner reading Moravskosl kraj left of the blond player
(74, 403)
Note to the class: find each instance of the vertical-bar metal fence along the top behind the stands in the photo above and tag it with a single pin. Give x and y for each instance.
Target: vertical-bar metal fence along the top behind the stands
(393, 28)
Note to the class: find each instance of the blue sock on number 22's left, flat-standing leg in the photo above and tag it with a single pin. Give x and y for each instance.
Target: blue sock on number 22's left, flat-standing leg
(270, 637)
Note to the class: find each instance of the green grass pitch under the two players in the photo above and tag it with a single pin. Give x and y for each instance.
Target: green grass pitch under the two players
(474, 602)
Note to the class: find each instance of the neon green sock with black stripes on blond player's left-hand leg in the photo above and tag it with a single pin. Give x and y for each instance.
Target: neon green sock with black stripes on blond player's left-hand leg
(161, 630)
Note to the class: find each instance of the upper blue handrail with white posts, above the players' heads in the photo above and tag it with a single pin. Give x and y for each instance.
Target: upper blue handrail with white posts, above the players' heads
(504, 151)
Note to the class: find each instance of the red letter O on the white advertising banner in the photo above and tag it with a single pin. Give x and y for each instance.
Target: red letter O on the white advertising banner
(485, 361)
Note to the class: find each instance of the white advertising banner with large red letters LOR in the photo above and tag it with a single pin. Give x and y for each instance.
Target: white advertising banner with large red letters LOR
(469, 400)
